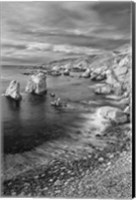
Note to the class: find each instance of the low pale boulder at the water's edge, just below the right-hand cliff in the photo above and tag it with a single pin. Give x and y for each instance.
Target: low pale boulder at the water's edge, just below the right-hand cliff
(105, 89)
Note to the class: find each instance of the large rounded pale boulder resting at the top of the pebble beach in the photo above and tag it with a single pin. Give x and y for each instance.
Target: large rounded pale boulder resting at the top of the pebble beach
(112, 114)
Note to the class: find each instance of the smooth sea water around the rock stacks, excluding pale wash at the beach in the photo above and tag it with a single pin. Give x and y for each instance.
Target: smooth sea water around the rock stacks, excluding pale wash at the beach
(35, 121)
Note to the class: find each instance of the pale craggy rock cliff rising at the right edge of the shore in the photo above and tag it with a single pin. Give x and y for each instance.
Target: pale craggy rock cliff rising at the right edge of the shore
(118, 76)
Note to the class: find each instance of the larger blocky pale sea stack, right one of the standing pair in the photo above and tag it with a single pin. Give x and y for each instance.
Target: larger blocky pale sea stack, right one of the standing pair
(37, 84)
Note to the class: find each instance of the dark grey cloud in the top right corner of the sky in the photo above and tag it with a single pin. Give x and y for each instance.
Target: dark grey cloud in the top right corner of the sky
(116, 13)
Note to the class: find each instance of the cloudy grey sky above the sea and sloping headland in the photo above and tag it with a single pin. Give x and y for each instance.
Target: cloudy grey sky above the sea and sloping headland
(37, 32)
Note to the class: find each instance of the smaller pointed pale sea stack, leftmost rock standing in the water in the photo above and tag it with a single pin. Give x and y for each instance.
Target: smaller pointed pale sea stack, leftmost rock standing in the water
(13, 90)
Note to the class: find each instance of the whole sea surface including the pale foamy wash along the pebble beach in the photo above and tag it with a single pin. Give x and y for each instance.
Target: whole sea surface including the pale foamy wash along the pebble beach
(35, 132)
